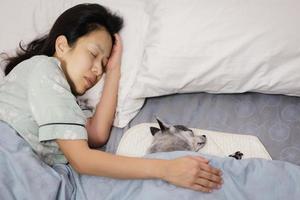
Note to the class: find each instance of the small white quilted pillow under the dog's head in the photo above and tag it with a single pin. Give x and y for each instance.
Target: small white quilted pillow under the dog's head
(137, 140)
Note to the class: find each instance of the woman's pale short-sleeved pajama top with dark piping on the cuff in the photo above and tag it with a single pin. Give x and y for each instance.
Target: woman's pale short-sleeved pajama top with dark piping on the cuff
(36, 100)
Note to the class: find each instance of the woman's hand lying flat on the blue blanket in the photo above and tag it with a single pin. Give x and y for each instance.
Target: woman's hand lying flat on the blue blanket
(193, 172)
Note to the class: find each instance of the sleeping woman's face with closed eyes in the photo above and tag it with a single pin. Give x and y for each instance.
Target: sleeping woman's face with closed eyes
(84, 63)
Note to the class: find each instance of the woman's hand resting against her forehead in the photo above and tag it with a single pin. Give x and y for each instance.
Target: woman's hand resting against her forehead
(114, 61)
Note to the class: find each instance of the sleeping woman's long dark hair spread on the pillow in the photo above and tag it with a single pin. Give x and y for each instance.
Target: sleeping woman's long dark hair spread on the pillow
(73, 23)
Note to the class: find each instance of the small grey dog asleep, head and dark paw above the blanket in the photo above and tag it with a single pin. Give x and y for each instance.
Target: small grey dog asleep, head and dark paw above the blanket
(178, 138)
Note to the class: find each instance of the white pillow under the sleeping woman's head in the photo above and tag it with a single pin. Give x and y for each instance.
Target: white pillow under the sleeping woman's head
(31, 19)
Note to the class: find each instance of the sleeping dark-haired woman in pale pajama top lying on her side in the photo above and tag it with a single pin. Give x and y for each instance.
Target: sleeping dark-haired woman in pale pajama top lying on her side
(38, 101)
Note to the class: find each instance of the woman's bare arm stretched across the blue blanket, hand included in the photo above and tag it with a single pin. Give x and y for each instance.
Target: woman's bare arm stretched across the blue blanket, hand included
(189, 172)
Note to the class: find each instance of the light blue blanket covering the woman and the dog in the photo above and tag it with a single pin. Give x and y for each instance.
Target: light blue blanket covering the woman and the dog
(24, 176)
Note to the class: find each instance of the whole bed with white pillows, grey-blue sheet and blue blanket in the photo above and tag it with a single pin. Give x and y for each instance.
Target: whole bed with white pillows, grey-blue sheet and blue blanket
(237, 71)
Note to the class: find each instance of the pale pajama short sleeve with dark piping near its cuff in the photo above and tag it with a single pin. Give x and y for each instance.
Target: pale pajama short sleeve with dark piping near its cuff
(53, 105)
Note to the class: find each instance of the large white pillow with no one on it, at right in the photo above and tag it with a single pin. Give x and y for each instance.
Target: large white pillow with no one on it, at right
(221, 47)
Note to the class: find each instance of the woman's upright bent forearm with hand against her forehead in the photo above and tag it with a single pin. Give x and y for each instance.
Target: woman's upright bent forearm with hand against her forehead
(99, 126)
